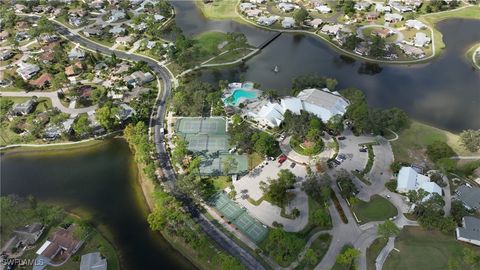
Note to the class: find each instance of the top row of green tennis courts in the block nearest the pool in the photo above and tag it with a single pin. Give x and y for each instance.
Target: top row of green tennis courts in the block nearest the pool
(201, 125)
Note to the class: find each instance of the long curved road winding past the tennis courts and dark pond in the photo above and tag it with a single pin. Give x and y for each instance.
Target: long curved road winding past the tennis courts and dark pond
(158, 121)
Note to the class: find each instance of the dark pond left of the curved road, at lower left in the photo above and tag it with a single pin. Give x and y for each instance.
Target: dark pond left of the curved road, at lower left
(102, 183)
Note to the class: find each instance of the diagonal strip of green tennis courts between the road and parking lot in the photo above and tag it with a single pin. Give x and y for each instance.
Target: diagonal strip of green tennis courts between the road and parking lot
(239, 217)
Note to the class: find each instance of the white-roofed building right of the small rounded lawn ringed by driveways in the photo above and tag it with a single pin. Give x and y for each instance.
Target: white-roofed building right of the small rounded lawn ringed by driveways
(408, 179)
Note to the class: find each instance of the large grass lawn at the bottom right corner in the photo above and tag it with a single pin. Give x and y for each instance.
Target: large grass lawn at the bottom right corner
(426, 250)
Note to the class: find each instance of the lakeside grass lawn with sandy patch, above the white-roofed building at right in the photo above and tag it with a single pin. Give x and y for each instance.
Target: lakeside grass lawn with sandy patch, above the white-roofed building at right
(412, 142)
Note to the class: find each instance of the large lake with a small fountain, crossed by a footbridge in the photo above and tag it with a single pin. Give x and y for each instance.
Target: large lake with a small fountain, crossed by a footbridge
(444, 92)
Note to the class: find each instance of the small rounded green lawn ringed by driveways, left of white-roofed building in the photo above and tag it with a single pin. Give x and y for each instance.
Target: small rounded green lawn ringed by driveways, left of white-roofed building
(377, 209)
